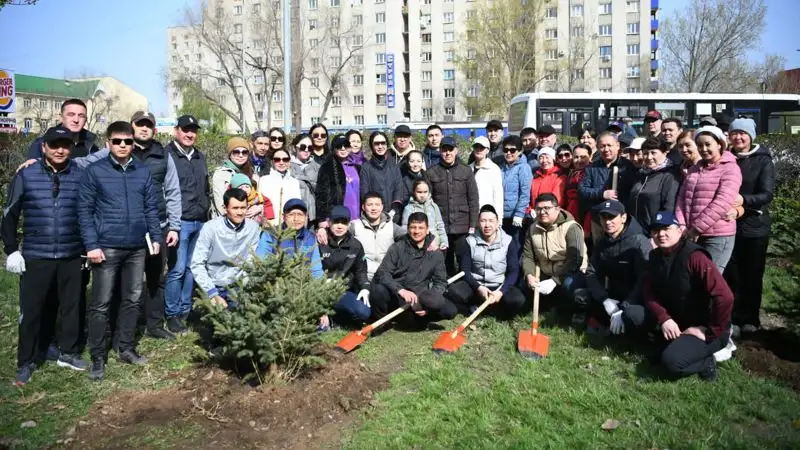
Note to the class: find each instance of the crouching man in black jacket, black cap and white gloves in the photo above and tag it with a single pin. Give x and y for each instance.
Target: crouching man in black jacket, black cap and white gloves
(616, 269)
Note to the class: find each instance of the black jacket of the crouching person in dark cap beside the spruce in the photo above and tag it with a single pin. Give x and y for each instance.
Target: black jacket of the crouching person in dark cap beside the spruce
(344, 258)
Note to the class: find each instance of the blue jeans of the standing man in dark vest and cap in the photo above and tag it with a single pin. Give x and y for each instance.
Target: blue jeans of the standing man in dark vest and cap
(180, 282)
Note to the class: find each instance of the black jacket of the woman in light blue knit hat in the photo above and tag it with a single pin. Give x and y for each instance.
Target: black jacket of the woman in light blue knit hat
(758, 185)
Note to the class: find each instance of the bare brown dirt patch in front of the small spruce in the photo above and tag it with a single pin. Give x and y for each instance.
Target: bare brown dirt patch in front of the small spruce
(220, 412)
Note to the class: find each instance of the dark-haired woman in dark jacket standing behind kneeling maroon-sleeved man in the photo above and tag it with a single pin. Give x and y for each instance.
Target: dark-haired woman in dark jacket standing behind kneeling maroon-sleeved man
(657, 185)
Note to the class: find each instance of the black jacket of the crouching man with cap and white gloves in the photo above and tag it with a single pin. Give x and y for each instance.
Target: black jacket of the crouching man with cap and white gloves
(623, 261)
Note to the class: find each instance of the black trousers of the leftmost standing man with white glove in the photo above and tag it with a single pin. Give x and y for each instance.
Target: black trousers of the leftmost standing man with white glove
(64, 276)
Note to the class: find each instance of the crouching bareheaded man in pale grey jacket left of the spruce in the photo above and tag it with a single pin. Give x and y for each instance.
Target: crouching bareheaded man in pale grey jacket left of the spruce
(222, 246)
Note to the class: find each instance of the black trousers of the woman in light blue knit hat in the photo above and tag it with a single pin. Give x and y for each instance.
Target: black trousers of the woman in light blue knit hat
(745, 276)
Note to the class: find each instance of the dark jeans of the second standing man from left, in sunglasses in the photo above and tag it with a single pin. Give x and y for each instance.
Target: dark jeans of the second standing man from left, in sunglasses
(127, 267)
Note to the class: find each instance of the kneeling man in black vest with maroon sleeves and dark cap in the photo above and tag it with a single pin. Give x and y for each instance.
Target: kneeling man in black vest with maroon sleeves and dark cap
(689, 300)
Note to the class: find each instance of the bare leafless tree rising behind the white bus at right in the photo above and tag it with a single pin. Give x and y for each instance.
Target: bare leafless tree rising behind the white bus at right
(706, 44)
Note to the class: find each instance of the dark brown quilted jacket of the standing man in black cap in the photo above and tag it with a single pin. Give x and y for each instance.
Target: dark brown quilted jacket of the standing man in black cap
(454, 190)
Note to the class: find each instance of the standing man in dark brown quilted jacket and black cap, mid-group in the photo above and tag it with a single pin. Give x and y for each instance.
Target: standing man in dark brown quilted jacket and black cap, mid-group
(454, 190)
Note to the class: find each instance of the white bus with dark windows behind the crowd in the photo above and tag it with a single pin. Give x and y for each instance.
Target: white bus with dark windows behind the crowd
(570, 113)
